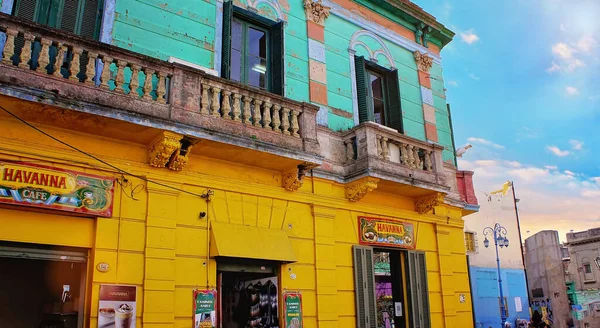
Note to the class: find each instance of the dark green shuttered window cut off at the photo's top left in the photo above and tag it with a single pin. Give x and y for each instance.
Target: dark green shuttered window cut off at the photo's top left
(82, 17)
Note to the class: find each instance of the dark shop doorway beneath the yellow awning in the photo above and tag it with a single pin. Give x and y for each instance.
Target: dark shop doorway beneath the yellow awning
(248, 294)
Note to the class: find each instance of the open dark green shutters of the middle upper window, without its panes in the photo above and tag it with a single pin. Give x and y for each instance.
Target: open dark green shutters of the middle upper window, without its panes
(276, 51)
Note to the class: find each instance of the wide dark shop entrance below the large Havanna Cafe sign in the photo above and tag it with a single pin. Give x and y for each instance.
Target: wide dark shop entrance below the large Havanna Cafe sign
(41, 286)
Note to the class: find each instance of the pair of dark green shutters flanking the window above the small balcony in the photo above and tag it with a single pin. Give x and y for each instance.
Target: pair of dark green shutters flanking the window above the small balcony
(393, 110)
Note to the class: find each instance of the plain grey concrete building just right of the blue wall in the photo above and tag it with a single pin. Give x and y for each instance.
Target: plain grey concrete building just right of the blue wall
(546, 279)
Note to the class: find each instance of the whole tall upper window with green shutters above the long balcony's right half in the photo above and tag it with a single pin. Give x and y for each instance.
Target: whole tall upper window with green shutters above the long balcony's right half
(252, 51)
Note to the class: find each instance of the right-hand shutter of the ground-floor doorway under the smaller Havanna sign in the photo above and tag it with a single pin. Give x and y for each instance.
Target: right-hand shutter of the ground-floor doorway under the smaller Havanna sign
(419, 292)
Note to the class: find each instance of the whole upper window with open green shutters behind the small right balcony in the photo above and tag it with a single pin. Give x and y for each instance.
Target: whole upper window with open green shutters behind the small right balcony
(378, 94)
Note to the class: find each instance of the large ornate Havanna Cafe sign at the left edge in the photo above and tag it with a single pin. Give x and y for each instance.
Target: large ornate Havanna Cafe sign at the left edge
(46, 187)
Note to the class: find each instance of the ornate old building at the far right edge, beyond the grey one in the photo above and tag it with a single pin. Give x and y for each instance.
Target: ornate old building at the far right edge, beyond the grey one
(583, 276)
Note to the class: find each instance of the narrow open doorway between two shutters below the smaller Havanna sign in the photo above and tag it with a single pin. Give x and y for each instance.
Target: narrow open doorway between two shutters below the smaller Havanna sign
(390, 288)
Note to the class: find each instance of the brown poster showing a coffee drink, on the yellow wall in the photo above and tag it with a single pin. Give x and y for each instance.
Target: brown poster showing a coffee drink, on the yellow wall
(117, 306)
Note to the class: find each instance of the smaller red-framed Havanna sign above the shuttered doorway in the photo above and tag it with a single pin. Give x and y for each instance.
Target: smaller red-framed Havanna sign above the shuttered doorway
(386, 232)
